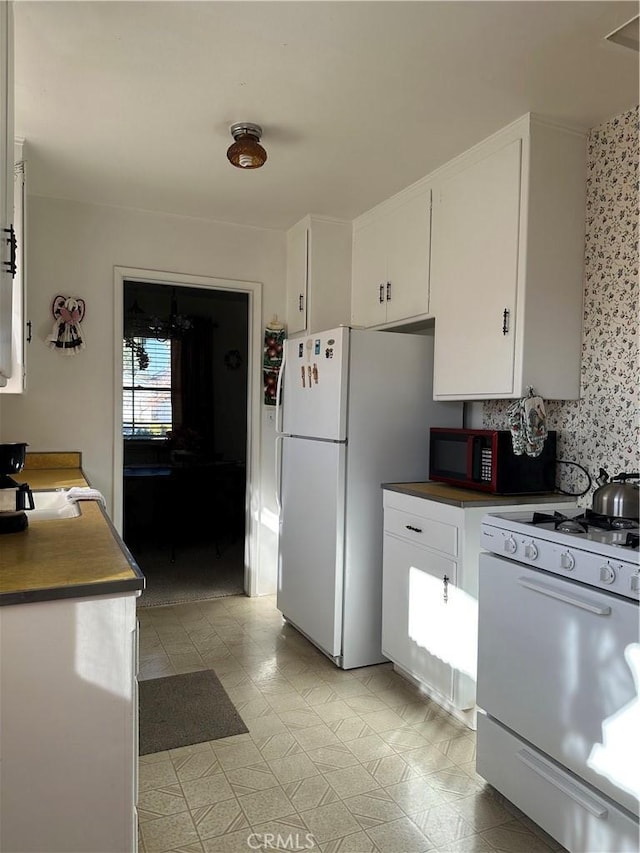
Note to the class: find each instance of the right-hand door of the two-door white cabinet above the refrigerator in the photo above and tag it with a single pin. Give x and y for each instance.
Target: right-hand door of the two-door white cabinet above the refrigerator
(408, 230)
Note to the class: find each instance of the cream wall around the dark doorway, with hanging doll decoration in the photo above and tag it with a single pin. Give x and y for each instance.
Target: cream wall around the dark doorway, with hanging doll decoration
(72, 250)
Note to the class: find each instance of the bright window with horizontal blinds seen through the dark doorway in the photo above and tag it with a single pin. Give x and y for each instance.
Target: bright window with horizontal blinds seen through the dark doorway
(146, 388)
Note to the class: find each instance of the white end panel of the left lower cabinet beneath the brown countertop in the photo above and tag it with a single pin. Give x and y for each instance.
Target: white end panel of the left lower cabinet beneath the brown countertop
(68, 740)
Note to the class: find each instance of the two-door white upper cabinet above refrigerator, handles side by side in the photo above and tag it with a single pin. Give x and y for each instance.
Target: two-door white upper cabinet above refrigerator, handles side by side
(390, 281)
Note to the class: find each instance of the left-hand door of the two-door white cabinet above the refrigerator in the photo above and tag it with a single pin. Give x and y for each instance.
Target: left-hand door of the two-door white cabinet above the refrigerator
(368, 285)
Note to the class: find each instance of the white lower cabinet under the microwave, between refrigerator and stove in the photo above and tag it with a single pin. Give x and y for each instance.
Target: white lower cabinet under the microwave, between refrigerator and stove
(430, 592)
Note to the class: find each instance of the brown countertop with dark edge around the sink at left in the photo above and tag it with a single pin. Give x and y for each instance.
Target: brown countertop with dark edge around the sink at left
(65, 558)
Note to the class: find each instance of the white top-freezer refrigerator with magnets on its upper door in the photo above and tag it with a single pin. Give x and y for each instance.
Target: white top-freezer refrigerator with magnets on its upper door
(357, 408)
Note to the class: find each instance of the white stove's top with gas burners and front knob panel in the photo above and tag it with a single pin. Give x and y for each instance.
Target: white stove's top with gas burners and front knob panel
(582, 546)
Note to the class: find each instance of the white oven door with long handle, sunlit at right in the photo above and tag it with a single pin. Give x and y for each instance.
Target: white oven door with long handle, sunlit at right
(556, 663)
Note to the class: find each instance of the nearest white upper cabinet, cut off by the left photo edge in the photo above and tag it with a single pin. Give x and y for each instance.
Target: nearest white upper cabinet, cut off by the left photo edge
(7, 242)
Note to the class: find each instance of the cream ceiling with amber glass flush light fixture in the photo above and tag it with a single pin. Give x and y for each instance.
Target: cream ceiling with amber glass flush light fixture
(130, 103)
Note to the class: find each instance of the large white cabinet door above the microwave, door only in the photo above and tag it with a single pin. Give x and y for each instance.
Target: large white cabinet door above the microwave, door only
(474, 272)
